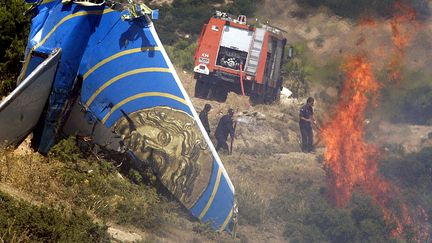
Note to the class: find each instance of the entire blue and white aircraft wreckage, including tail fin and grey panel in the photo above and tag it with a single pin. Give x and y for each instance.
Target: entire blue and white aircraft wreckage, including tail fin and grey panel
(97, 69)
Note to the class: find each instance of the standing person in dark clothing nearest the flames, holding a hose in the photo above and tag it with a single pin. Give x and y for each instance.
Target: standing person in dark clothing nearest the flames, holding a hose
(306, 122)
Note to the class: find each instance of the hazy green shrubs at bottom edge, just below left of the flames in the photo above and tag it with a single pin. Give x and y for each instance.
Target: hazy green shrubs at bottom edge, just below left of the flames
(310, 217)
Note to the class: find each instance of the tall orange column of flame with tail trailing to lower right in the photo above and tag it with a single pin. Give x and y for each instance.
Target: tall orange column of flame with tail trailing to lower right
(351, 162)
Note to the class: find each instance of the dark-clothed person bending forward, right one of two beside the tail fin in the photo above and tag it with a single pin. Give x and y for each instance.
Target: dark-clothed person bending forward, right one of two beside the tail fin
(225, 127)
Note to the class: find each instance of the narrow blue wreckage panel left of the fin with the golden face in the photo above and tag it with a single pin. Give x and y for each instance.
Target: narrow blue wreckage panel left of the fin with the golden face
(67, 27)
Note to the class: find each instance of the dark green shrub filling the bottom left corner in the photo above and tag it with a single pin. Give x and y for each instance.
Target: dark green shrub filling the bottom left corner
(20, 221)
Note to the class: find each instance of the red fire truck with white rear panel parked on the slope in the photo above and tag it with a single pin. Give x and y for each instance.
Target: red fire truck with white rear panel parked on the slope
(234, 56)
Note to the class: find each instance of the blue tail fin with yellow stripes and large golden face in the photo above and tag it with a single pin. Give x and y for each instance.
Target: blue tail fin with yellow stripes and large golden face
(131, 87)
